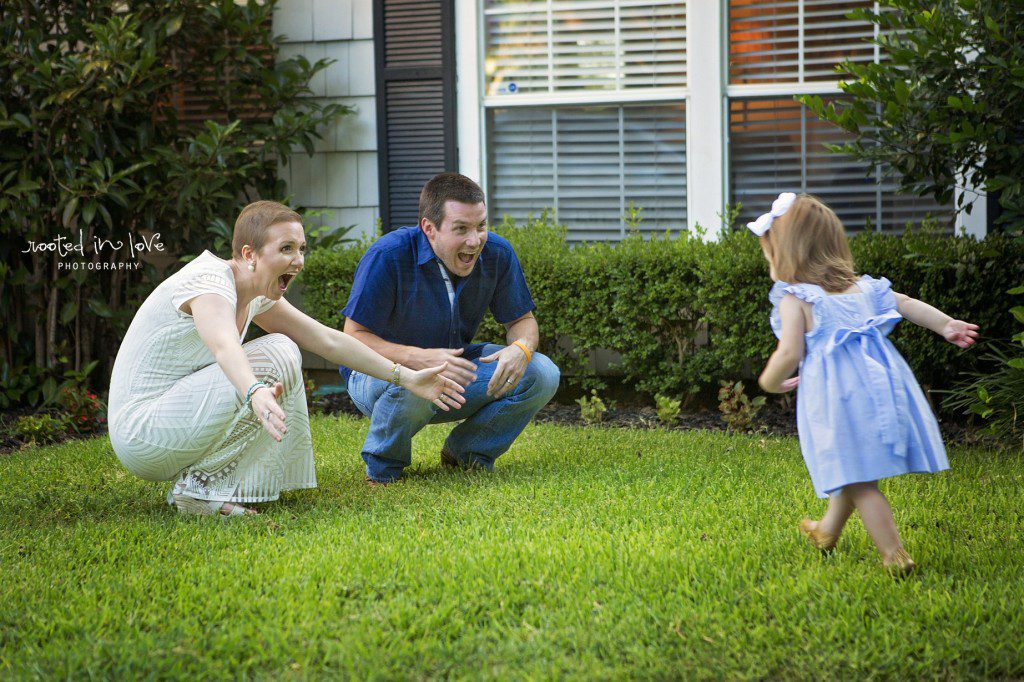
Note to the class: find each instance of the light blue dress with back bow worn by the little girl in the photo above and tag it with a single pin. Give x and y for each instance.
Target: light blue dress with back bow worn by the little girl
(861, 413)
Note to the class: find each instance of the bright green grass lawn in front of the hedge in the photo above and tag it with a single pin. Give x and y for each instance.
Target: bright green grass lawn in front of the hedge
(589, 553)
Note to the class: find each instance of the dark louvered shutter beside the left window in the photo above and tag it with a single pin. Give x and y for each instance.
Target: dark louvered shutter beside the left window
(416, 126)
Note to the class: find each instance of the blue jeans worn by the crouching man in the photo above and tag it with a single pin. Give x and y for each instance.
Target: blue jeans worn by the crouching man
(490, 428)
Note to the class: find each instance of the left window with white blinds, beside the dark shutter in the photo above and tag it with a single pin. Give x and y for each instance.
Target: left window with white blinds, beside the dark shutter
(585, 113)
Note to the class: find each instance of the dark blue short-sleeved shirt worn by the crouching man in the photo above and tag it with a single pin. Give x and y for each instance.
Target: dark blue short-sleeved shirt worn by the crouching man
(400, 294)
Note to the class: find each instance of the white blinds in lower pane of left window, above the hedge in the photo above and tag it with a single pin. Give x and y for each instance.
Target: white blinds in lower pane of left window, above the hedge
(588, 163)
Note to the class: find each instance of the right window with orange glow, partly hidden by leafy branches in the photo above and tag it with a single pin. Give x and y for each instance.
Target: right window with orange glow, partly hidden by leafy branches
(782, 49)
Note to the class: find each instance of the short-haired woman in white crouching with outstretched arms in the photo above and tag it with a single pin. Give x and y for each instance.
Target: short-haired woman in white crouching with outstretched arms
(228, 421)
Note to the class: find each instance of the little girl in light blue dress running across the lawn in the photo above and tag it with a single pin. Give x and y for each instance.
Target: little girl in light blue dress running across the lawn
(861, 414)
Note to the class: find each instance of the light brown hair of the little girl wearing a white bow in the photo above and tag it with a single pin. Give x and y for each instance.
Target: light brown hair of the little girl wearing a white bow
(808, 244)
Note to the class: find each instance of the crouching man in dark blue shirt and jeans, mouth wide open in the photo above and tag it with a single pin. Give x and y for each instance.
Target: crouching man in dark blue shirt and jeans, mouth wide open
(419, 297)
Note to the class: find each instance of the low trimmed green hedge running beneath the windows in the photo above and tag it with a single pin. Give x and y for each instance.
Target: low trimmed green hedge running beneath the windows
(654, 301)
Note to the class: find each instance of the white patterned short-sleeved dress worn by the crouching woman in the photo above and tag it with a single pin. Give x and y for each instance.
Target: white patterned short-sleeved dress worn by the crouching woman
(174, 414)
